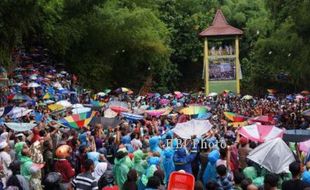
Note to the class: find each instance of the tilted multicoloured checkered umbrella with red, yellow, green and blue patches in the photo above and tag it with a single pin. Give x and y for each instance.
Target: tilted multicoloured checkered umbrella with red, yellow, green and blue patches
(78, 121)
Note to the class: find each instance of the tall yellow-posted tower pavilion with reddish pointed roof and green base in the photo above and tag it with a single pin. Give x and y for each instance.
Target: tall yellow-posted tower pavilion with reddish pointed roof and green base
(221, 69)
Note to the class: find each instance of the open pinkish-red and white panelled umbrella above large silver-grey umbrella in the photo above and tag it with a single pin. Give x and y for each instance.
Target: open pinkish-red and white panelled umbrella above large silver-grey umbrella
(260, 133)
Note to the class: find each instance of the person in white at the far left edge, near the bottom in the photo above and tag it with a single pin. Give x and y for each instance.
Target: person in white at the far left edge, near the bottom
(5, 161)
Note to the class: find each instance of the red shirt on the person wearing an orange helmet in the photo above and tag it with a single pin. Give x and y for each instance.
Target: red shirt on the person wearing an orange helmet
(65, 169)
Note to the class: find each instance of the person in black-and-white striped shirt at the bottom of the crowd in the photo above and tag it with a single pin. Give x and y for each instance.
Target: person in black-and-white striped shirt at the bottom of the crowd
(85, 180)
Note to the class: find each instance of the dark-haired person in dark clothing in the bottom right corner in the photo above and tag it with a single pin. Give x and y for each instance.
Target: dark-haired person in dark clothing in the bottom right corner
(295, 183)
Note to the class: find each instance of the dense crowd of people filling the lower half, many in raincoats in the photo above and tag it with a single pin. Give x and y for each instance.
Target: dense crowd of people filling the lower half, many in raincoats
(134, 153)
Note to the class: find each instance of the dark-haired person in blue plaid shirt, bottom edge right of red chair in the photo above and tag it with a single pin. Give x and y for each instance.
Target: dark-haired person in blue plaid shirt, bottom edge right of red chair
(224, 178)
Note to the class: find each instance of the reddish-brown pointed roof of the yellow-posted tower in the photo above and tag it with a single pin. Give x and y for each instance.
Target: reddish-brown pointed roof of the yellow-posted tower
(220, 27)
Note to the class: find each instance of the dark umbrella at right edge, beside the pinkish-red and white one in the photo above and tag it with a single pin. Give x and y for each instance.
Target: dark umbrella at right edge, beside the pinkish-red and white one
(296, 135)
